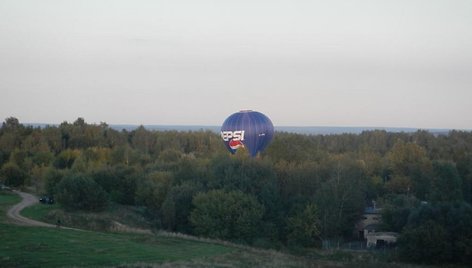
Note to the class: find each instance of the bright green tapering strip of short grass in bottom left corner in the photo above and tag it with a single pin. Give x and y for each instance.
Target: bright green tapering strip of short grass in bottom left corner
(50, 247)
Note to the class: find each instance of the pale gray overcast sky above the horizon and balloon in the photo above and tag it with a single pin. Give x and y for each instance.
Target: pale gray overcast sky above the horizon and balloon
(397, 63)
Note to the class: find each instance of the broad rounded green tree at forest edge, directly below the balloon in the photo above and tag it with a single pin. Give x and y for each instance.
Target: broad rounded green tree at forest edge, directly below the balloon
(227, 215)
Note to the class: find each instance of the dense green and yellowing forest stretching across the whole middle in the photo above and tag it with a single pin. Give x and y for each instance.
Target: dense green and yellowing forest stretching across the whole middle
(302, 190)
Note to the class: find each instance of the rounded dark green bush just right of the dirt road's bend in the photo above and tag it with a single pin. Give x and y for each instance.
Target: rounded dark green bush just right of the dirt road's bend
(80, 192)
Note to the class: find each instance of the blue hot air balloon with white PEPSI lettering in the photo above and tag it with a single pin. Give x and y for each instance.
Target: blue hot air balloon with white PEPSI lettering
(250, 129)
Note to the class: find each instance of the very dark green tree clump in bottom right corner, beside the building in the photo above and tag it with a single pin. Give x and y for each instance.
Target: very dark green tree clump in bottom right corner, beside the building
(438, 233)
